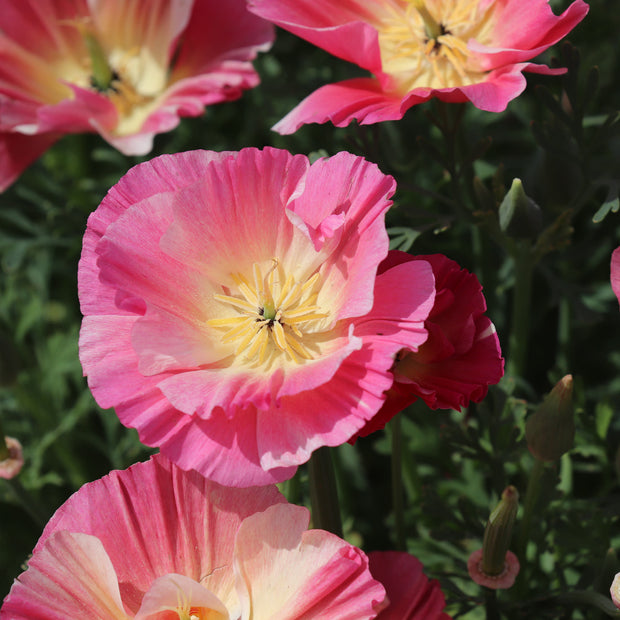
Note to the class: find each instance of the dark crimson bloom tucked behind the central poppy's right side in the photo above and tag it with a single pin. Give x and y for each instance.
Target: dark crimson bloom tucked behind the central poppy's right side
(462, 354)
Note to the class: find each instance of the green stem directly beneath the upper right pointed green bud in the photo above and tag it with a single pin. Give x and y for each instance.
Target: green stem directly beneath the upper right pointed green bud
(521, 309)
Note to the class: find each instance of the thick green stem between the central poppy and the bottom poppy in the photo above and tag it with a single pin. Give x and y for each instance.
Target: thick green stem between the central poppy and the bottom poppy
(324, 492)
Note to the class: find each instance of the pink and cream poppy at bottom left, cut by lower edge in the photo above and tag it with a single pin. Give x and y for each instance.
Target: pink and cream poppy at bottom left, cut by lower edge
(154, 541)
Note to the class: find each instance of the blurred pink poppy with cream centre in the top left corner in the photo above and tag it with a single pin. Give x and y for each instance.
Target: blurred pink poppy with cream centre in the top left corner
(123, 68)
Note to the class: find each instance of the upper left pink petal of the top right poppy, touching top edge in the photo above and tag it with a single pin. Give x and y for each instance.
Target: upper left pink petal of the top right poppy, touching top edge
(344, 29)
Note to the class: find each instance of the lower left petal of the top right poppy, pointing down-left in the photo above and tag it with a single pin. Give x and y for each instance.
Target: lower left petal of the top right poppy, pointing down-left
(360, 99)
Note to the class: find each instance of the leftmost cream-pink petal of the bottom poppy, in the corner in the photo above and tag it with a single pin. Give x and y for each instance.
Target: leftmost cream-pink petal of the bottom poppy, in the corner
(70, 576)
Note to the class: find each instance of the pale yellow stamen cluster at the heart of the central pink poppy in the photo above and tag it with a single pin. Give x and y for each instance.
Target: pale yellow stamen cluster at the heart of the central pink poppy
(273, 313)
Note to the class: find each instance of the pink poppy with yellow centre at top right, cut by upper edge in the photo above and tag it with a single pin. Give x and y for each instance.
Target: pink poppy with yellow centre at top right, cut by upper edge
(458, 50)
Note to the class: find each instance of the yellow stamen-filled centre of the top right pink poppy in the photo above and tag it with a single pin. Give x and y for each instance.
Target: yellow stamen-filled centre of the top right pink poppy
(424, 43)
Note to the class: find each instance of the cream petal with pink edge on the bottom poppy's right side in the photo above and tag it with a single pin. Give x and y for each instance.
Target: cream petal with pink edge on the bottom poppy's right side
(287, 573)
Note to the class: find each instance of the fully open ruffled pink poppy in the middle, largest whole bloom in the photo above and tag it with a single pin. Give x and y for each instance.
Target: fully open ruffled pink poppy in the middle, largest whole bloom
(232, 308)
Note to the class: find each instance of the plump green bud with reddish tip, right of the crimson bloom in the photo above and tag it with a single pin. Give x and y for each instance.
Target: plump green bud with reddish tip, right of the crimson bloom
(550, 430)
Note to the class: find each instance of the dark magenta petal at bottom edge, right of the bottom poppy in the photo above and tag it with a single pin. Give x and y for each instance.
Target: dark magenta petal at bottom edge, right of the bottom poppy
(411, 595)
